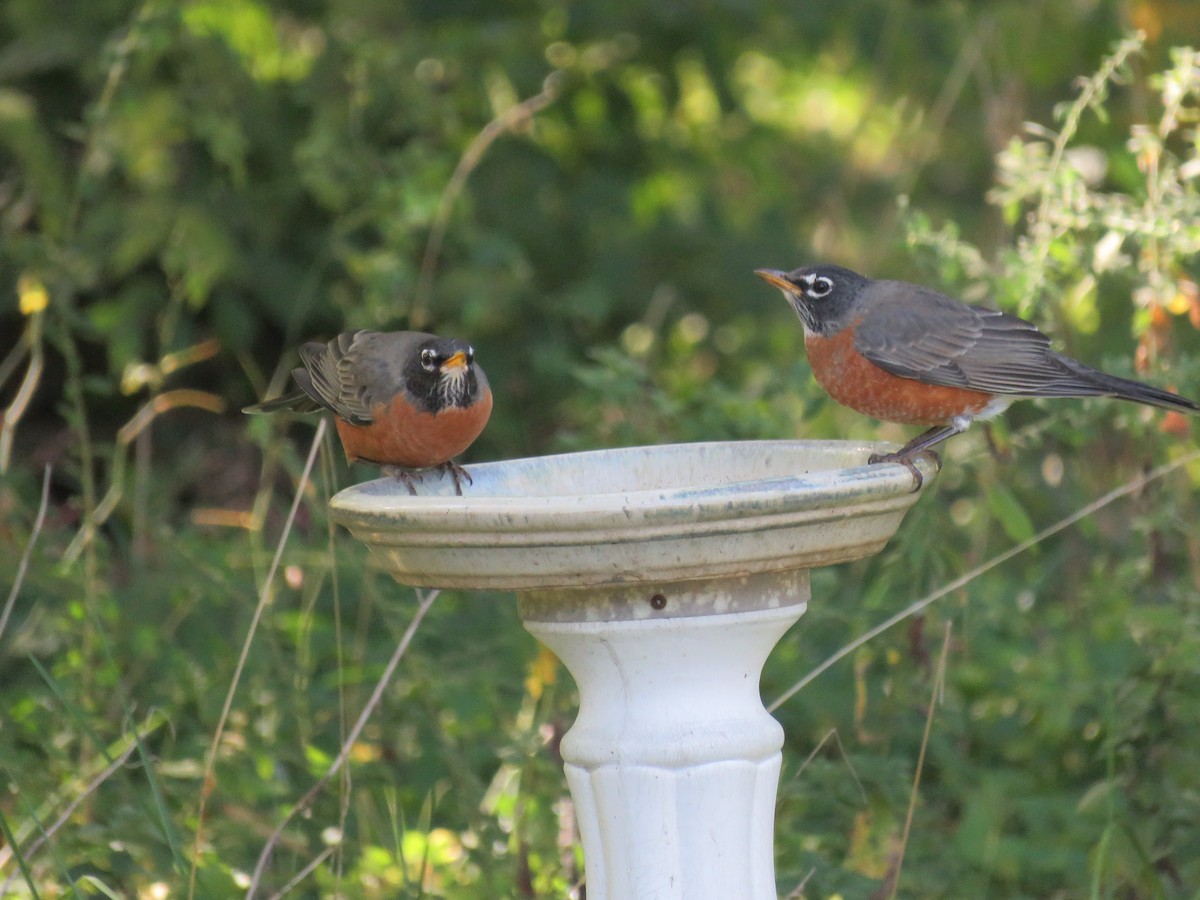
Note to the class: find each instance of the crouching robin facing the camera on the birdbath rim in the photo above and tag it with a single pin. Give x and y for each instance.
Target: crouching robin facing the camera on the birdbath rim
(403, 400)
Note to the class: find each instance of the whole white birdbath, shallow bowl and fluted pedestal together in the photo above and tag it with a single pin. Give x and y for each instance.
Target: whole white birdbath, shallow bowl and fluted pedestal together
(662, 577)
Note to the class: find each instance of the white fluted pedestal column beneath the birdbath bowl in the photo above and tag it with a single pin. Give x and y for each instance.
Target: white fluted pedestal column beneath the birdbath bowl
(673, 763)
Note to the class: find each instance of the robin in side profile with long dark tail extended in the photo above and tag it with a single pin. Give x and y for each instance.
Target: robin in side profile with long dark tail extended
(907, 355)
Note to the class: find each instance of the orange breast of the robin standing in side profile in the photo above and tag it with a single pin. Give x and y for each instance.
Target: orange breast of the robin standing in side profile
(854, 381)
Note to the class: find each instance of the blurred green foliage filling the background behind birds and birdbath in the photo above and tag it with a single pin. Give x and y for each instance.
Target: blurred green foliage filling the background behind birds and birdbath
(187, 189)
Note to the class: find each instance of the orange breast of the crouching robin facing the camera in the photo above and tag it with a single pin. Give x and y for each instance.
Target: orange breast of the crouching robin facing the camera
(413, 440)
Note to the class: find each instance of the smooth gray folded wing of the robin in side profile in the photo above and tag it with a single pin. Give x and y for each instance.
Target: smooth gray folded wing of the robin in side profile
(917, 333)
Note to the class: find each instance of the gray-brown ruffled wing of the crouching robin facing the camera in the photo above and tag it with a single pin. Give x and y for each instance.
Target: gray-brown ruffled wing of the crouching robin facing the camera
(357, 371)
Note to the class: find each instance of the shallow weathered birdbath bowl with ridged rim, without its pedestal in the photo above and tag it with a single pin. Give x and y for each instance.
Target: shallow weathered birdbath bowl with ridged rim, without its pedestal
(639, 515)
